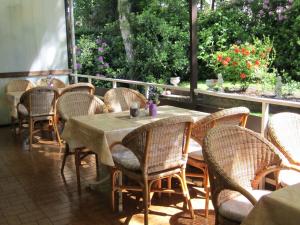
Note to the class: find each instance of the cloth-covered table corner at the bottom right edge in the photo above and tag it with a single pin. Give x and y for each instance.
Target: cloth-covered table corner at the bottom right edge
(281, 207)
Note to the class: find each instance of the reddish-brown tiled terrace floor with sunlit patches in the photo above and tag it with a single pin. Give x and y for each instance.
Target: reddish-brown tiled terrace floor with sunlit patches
(33, 192)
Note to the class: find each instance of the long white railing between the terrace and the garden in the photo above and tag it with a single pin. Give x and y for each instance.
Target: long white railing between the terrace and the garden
(264, 101)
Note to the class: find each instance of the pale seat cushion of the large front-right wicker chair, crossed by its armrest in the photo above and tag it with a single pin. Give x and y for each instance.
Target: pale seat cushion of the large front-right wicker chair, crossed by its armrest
(239, 207)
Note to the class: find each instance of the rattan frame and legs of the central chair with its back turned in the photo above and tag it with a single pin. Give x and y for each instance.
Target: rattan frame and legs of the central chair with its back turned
(146, 179)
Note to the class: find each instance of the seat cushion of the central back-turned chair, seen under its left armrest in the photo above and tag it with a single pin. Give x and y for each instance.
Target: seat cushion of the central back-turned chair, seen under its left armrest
(125, 158)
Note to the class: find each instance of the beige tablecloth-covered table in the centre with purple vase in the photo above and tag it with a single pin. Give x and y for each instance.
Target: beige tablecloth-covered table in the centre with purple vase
(97, 132)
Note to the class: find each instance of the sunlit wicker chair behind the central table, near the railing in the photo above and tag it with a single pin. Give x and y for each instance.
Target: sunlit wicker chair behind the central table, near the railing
(120, 99)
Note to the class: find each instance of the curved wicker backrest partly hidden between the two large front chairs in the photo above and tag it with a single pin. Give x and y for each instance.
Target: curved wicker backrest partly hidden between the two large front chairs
(232, 116)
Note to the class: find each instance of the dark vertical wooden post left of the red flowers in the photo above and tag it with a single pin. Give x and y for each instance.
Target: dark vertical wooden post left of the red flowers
(193, 47)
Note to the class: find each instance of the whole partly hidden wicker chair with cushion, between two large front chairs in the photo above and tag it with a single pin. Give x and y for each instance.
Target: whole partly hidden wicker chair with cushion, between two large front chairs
(233, 116)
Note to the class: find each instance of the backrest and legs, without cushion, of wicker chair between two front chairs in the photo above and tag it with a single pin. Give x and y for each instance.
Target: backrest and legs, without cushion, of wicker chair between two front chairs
(200, 129)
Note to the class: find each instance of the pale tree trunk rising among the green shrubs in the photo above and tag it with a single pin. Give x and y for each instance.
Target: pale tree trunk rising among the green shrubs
(124, 10)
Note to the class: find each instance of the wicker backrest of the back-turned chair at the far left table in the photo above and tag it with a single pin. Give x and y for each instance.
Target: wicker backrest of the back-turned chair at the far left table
(40, 101)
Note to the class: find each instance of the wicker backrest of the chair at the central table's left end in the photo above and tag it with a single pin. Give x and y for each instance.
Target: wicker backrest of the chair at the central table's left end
(78, 104)
